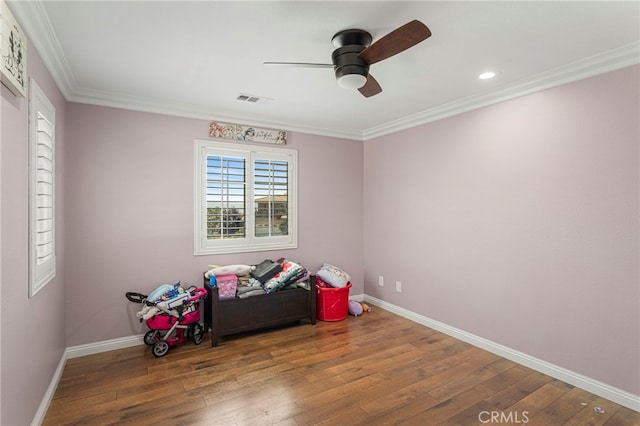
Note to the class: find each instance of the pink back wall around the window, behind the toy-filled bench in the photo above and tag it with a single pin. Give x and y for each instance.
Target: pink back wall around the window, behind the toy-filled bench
(130, 210)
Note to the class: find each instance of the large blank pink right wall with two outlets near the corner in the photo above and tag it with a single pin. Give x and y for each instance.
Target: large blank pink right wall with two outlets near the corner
(519, 223)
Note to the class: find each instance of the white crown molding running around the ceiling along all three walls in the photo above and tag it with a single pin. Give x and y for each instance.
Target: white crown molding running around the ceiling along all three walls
(35, 22)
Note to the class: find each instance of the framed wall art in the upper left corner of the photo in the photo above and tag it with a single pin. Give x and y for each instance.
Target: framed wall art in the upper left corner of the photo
(13, 52)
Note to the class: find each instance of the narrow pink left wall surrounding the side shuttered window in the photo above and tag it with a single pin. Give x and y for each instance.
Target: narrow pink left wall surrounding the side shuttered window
(32, 330)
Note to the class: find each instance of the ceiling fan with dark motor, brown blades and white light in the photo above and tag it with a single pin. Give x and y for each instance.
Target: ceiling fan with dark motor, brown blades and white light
(354, 53)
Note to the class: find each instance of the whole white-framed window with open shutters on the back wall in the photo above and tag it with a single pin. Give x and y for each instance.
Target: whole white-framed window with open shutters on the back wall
(245, 198)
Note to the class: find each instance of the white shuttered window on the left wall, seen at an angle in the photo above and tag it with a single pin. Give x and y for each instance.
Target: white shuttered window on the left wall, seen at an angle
(42, 244)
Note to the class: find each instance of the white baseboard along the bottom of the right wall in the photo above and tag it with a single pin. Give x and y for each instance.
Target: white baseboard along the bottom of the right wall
(596, 387)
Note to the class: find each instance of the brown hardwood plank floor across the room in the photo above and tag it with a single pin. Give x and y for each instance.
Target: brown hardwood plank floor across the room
(376, 369)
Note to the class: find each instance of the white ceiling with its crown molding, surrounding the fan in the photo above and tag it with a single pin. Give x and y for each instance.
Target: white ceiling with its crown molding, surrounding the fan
(194, 58)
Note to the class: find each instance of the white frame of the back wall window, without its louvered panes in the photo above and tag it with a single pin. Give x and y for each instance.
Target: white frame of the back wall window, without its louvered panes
(250, 243)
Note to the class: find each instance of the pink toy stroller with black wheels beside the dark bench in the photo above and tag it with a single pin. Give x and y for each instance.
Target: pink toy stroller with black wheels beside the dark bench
(172, 318)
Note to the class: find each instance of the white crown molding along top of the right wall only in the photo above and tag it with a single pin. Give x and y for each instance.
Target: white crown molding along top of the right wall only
(612, 60)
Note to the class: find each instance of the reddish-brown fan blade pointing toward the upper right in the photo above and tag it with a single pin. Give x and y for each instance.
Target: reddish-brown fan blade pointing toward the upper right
(395, 42)
